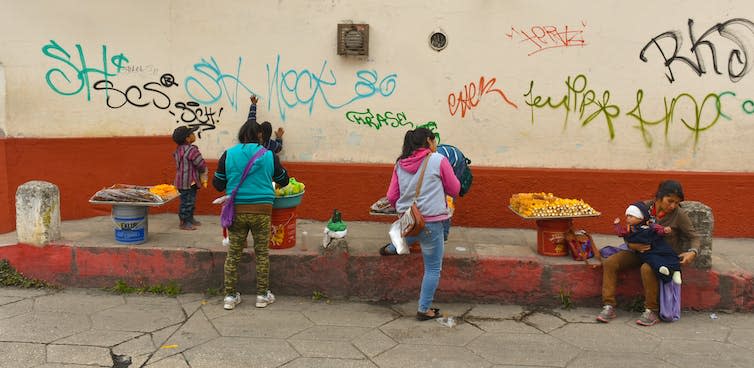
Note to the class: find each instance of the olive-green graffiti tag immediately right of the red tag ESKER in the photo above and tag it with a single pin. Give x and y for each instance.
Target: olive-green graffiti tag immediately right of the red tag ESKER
(580, 99)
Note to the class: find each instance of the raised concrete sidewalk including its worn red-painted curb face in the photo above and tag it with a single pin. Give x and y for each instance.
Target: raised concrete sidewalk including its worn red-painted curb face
(481, 265)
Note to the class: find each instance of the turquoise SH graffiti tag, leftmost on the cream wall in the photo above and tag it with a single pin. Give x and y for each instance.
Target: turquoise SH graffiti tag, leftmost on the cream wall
(81, 71)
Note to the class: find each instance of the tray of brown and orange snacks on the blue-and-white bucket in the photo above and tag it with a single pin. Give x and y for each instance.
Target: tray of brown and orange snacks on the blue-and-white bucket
(125, 193)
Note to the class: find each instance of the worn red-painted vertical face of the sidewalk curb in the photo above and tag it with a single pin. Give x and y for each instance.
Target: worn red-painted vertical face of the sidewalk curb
(507, 280)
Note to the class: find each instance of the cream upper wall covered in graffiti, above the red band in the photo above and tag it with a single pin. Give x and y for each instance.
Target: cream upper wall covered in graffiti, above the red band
(248, 41)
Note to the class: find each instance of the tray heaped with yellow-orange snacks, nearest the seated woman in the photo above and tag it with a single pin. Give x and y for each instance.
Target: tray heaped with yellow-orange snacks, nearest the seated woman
(547, 205)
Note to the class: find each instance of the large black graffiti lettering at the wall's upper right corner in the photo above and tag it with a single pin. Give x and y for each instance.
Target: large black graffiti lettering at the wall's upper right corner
(738, 58)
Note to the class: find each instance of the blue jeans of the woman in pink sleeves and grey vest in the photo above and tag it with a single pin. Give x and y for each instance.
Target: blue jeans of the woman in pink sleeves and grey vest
(432, 243)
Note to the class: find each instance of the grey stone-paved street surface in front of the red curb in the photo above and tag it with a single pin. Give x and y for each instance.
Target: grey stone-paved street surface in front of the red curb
(87, 327)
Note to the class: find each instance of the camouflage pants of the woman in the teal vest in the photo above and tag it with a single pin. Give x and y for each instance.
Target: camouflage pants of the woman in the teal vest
(259, 225)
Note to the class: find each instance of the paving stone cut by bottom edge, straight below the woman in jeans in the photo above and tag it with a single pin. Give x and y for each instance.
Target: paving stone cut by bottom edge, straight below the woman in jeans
(416, 356)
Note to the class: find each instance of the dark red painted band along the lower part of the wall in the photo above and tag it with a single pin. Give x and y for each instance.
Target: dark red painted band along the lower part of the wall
(81, 166)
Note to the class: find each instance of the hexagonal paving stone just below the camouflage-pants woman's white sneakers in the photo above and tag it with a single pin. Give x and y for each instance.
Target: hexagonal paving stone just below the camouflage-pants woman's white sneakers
(262, 323)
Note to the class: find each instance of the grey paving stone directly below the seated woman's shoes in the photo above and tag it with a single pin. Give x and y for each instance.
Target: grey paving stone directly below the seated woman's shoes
(602, 337)
